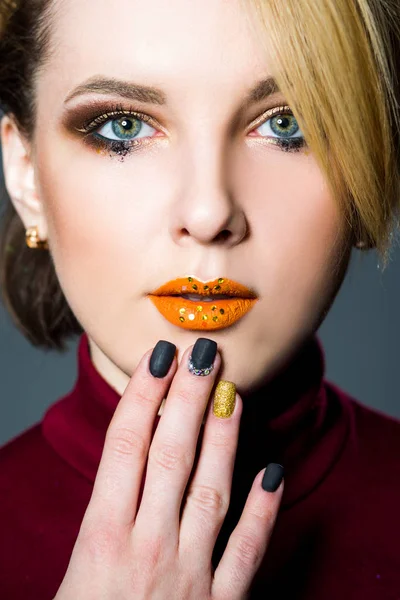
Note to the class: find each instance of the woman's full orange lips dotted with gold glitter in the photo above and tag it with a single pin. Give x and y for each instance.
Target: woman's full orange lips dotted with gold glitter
(214, 312)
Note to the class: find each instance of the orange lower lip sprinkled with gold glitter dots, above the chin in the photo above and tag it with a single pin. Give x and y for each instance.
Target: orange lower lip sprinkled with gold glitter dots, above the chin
(198, 315)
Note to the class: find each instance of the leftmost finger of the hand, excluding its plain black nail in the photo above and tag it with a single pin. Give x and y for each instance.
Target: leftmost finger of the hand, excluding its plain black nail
(128, 438)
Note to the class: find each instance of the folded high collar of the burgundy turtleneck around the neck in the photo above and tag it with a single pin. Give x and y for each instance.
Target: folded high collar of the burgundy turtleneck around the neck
(297, 419)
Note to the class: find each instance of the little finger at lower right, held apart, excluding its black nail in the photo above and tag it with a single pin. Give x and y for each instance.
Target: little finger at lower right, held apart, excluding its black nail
(248, 542)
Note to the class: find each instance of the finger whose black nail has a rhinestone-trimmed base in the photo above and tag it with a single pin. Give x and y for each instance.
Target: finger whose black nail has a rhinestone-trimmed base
(173, 449)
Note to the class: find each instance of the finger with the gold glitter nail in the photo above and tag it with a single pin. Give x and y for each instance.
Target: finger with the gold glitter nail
(208, 495)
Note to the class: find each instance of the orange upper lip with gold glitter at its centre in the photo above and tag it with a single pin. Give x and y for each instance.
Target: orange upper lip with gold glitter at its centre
(222, 286)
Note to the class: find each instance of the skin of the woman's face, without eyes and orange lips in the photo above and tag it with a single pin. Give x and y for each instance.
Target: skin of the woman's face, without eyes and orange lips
(204, 193)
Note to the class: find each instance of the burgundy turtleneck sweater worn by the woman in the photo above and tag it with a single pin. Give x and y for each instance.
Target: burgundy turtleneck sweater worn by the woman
(337, 534)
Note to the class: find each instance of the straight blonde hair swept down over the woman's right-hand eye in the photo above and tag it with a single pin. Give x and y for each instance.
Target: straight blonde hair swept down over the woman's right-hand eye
(336, 62)
